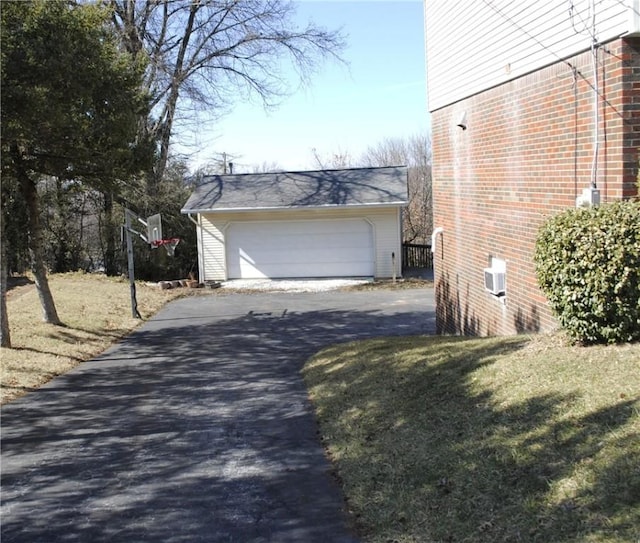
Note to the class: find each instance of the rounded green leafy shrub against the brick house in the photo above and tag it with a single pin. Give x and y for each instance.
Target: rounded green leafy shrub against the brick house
(588, 265)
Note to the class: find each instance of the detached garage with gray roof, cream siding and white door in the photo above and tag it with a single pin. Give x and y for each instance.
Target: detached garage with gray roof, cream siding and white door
(328, 223)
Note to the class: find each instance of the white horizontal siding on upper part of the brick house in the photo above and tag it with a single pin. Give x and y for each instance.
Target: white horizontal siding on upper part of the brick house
(474, 46)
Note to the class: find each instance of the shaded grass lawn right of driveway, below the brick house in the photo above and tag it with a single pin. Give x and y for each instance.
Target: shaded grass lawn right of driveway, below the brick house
(443, 439)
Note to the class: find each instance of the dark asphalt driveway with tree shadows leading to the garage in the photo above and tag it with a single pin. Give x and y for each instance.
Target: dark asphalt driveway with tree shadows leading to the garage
(196, 427)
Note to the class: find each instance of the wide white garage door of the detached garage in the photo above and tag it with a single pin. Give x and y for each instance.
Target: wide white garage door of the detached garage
(339, 248)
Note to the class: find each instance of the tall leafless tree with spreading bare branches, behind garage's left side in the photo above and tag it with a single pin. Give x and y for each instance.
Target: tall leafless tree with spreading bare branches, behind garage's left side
(208, 54)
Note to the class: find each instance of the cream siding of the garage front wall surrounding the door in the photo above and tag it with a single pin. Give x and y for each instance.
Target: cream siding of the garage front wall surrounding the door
(384, 223)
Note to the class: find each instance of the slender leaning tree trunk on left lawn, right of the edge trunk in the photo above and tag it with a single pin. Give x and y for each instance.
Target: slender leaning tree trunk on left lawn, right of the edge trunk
(36, 244)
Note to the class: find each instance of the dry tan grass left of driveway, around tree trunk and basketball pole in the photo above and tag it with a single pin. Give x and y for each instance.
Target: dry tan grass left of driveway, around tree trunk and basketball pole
(95, 310)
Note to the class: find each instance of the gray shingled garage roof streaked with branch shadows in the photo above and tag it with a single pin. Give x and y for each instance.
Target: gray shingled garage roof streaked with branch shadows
(283, 190)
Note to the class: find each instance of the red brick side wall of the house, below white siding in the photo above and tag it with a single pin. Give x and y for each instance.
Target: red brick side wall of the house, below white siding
(527, 153)
